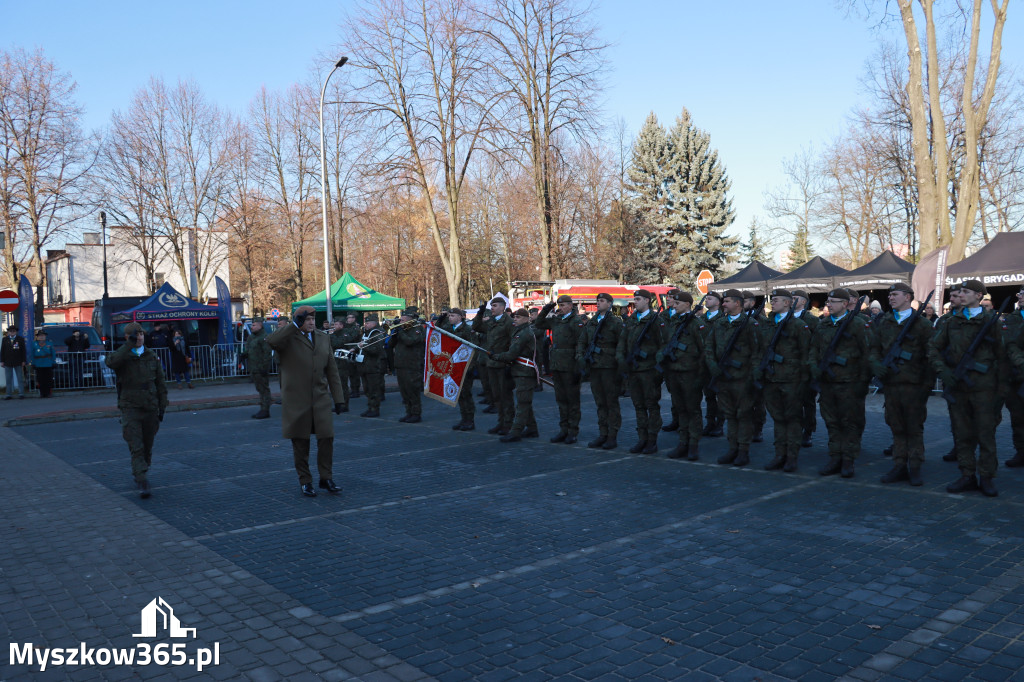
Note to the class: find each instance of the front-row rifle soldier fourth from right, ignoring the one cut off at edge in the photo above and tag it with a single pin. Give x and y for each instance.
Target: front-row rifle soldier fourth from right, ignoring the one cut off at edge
(783, 373)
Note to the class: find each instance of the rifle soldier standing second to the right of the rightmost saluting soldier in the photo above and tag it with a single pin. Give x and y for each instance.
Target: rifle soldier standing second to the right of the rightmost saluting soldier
(637, 354)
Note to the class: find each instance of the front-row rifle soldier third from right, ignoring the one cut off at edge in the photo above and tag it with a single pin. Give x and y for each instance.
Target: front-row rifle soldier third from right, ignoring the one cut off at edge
(843, 386)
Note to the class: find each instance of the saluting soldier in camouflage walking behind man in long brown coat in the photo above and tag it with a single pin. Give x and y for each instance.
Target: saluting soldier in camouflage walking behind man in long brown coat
(142, 399)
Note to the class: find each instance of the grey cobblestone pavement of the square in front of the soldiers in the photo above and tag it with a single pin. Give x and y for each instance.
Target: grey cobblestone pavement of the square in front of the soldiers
(454, 557)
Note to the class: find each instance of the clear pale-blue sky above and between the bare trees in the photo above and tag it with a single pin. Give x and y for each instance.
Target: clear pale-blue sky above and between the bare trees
(763, 78)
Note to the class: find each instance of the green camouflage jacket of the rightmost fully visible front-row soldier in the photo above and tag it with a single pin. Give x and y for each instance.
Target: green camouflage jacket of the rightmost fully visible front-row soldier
(952, 342)
